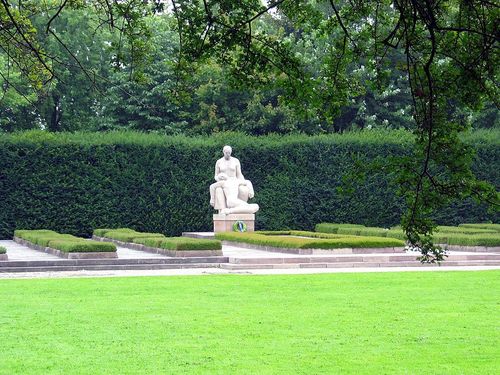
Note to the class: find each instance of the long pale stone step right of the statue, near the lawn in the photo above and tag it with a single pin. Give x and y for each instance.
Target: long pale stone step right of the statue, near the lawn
(232, 266)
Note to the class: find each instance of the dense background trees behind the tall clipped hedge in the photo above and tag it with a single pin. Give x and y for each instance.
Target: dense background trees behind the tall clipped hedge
(134, 76)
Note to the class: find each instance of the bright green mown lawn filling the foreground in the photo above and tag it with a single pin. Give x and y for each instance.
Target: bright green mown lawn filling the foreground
(359, 323)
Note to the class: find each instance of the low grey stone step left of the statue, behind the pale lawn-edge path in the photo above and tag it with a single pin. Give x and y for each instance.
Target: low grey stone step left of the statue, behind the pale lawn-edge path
(108, 267)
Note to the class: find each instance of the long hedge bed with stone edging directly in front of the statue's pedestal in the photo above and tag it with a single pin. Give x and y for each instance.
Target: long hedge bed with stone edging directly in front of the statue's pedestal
(302, 242)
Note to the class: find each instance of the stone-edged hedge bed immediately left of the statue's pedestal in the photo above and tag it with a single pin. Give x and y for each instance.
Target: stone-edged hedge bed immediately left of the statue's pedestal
(160, 244)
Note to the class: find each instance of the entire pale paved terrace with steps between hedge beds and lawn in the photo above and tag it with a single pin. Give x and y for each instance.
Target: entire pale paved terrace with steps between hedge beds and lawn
(26, 263)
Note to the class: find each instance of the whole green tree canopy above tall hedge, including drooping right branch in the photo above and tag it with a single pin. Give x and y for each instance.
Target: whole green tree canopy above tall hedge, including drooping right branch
(304, 66)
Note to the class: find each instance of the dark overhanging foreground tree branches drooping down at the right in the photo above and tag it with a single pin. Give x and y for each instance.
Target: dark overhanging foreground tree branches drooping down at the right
(451, 60)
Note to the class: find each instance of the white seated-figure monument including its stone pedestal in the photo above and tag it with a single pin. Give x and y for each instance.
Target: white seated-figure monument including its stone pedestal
(229, 195)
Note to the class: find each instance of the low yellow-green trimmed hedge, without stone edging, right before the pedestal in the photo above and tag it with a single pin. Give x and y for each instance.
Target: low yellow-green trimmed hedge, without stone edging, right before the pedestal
(286, 241)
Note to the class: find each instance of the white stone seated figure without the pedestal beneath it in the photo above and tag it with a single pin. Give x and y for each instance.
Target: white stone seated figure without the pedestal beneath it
(231, 192)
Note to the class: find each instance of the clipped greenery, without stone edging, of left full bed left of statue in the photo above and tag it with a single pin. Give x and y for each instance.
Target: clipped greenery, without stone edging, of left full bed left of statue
(63, 242)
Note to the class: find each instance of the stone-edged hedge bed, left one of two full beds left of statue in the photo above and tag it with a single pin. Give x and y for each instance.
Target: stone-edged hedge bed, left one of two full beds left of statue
(64, 245)
